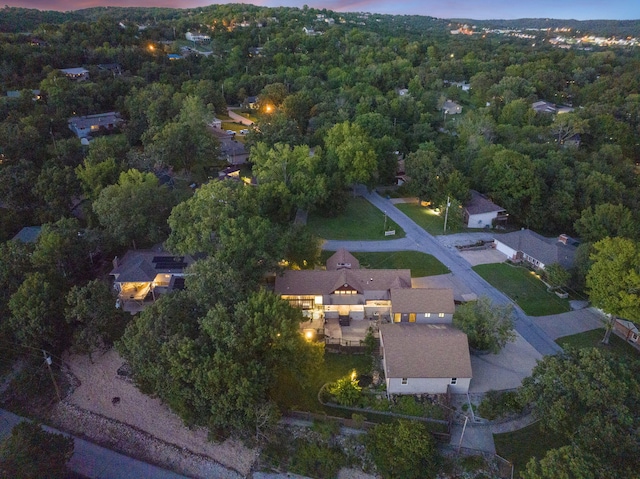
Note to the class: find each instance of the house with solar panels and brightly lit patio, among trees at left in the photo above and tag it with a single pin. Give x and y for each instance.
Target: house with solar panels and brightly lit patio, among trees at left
(141, 275)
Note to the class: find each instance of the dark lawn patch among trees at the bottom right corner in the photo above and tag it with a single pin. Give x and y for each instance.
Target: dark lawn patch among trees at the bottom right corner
(521, 445)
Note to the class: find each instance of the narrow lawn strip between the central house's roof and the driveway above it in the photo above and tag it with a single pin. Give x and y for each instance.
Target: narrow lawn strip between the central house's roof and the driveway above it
(420, 264)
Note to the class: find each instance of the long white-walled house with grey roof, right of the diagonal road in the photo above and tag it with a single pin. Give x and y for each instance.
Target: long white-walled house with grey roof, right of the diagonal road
(526, 245)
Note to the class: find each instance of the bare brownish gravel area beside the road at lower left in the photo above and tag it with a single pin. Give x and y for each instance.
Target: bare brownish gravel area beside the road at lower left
(135, 419)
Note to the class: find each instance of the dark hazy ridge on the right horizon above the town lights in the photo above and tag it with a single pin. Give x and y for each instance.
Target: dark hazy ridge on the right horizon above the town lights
(618, 28)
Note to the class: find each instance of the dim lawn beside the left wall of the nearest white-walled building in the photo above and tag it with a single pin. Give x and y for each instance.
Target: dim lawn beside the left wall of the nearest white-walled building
(291, 396)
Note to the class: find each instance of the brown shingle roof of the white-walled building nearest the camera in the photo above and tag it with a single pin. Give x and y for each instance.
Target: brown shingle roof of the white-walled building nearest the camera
(425, 351)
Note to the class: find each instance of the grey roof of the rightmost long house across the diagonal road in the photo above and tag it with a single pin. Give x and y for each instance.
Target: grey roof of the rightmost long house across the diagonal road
(545, 250)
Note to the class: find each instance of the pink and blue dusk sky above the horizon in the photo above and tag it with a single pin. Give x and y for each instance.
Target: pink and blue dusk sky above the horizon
(475, 9)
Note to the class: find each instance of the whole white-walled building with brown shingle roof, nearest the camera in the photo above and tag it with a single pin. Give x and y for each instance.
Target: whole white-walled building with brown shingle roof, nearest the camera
(425, 359)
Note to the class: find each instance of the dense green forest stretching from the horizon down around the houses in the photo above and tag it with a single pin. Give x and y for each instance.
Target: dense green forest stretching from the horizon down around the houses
(339, 120)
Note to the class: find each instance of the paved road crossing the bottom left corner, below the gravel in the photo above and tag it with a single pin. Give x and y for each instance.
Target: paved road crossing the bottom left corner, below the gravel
(91, 460)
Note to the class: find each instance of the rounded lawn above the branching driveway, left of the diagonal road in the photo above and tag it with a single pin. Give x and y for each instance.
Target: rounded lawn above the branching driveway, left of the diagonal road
(360, 221)
